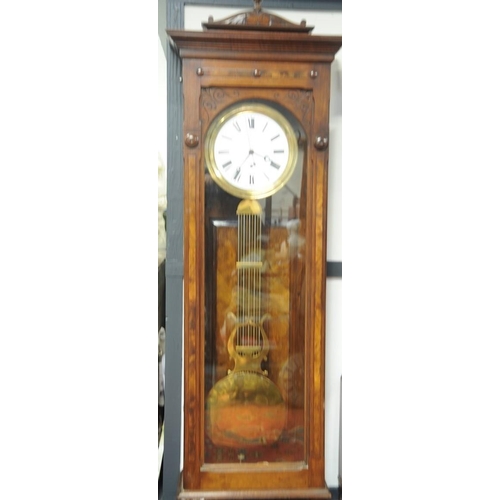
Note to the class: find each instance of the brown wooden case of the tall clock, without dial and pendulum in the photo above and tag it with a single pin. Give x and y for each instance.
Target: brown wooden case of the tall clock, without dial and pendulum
(254, 56)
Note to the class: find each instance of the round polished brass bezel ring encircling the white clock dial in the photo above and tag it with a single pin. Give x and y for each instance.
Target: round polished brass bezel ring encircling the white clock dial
(216, 126)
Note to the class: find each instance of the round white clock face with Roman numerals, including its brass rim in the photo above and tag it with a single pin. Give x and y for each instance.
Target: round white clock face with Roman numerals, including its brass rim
(251, 150)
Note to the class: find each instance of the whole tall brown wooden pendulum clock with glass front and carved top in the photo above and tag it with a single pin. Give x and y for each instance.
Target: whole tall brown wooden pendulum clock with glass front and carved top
(256, 123)
